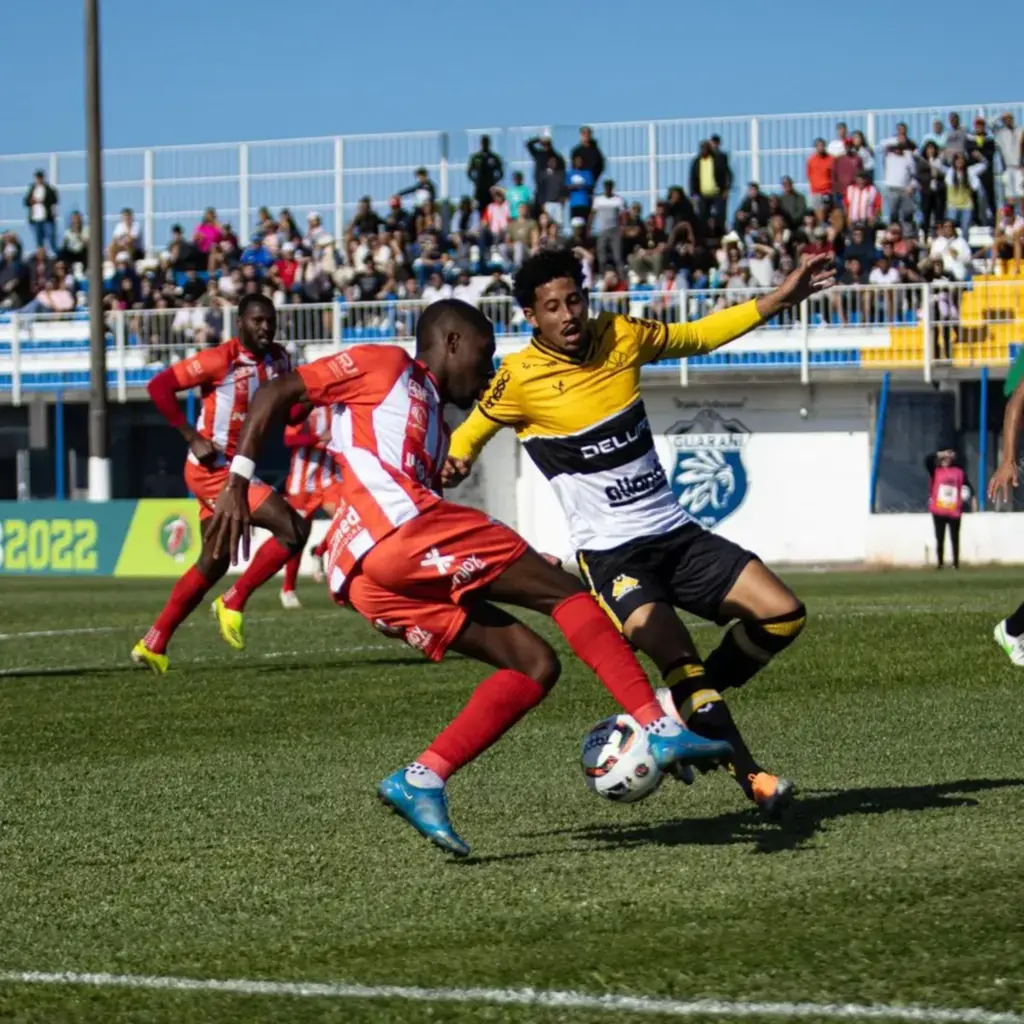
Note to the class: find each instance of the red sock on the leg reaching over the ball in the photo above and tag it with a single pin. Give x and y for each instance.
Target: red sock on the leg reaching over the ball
(601, 647)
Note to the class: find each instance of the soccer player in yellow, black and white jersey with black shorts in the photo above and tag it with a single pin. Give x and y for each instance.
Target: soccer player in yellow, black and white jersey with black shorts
(573, 397)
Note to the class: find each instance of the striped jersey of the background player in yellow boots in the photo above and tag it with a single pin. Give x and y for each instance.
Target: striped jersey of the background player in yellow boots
(228, 376)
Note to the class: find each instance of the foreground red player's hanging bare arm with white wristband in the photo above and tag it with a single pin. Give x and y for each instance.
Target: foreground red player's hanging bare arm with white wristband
(230, 526)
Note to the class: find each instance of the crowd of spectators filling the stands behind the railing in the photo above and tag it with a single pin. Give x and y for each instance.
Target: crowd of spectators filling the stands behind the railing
(899, 212)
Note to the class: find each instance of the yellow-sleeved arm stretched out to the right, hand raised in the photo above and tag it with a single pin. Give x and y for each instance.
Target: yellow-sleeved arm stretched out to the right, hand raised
(815, 275)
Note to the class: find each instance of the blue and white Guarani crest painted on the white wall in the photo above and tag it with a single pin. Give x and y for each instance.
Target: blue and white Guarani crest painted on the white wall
(708, 476)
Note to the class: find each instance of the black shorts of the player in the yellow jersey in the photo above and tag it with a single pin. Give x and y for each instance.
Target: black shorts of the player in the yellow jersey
(690, 568)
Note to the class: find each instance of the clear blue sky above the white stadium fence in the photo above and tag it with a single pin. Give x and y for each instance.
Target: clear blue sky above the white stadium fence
(199, 71)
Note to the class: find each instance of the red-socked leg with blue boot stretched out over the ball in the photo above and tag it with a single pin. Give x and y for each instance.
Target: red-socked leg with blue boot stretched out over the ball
(531, 582)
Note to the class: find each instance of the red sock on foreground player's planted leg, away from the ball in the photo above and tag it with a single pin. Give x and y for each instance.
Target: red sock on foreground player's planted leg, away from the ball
(494, 708)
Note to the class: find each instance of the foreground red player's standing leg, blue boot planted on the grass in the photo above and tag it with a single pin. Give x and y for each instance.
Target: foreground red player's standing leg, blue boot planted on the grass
(527, 669)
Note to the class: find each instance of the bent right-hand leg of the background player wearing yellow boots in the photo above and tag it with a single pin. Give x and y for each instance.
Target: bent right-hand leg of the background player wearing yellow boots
(289, 533)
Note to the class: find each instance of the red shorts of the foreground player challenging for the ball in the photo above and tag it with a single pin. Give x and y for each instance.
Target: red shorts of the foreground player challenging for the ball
(412, 585)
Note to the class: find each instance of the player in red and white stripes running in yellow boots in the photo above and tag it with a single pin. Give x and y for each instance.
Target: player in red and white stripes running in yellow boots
(228, 376)
